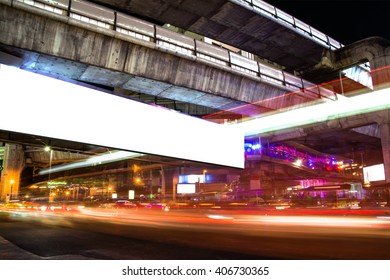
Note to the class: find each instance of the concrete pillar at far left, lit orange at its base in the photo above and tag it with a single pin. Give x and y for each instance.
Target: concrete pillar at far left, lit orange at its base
(13, 164)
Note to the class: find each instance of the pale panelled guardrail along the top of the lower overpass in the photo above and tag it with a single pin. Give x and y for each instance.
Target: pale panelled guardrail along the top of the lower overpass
(108, 19)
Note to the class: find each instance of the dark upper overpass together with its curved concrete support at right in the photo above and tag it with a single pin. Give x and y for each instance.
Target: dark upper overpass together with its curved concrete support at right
(264, 30)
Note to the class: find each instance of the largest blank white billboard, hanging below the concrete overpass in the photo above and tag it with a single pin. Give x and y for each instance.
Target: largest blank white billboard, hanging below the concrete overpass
(39, 105)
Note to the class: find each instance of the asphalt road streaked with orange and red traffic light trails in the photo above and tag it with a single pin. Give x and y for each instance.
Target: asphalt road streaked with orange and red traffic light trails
(197, 235)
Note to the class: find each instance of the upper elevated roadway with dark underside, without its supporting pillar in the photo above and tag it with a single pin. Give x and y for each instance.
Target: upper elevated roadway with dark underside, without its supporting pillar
(253, 26)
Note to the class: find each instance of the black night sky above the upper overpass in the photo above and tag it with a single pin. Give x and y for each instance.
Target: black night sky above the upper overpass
(346, 21)
